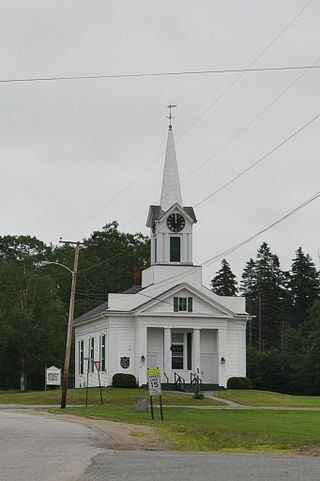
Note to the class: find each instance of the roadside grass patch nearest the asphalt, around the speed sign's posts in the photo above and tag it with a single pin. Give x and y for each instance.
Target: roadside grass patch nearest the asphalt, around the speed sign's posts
(222, 430)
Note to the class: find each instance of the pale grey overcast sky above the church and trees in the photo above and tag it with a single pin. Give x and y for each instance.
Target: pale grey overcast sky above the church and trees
(67, 148)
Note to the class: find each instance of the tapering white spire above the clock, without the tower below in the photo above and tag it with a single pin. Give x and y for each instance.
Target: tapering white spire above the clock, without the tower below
(170, 190)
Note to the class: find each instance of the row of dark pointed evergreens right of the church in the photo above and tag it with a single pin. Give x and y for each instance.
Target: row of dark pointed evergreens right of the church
(283, 336)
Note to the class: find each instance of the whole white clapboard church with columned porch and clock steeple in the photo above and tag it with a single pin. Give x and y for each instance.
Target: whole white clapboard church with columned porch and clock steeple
(171, 320)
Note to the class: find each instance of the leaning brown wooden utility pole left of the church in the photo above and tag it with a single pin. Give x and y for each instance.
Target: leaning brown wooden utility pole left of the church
(70, 321)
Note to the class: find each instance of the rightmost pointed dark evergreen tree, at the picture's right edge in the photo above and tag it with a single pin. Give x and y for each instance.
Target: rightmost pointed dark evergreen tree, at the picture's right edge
(304, 286)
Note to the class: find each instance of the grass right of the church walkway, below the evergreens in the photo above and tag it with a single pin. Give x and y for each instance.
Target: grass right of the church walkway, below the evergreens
(269, 399)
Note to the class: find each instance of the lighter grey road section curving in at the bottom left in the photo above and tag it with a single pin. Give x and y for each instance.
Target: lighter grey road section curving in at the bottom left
(38, 448)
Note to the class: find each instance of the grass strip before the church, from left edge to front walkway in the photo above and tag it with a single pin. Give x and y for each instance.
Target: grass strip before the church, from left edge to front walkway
(111, 396)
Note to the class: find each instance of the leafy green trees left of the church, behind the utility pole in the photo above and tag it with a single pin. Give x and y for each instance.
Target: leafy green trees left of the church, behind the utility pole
(34, 297)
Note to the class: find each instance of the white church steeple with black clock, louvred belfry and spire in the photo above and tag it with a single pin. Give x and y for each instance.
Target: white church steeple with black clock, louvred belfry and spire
(170, 222)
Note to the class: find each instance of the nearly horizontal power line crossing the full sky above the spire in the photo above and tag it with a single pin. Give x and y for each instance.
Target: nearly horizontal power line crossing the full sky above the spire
(159, 74)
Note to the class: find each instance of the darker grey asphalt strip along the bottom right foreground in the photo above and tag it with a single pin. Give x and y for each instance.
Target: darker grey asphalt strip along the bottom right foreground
(163, 466)
